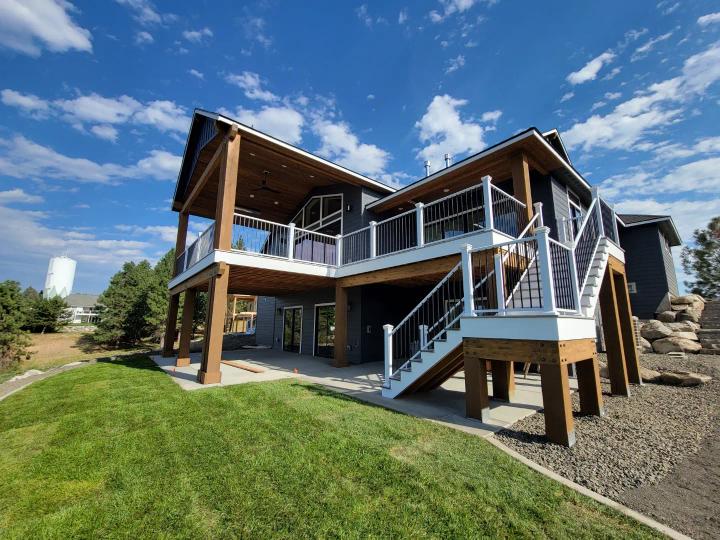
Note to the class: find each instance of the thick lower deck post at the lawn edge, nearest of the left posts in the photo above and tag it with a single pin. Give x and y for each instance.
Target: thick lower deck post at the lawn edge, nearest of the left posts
(217, 306)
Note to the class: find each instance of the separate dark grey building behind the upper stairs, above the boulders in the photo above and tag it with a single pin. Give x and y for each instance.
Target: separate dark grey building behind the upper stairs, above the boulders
(647, 241)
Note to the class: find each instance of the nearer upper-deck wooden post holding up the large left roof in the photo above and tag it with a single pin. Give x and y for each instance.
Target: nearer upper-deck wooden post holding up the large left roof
(227, 188)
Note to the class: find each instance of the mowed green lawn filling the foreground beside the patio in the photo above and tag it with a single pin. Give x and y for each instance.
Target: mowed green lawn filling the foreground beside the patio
(117, 449)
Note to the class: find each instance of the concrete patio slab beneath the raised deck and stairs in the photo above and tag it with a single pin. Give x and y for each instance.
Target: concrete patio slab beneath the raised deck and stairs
(445, 405)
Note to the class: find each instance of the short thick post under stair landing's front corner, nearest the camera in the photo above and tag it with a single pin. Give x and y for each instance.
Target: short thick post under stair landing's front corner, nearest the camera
(559, 426)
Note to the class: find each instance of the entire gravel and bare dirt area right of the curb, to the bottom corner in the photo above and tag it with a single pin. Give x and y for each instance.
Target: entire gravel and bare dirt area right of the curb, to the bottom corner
(657, 452)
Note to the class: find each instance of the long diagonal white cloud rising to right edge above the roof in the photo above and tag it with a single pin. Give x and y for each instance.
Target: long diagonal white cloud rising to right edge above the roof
(658, 106)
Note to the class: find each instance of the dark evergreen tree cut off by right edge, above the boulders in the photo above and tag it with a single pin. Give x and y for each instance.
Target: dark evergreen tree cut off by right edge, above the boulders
(703, 260)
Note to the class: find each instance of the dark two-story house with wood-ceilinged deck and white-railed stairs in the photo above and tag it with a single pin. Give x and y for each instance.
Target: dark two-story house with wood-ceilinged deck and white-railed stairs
(497, 259)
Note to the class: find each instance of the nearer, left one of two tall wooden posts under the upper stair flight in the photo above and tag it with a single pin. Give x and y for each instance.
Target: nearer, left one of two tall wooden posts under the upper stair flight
(613, 336)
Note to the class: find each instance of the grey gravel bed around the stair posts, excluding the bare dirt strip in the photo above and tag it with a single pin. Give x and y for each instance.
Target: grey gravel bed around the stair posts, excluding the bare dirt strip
(639, 441)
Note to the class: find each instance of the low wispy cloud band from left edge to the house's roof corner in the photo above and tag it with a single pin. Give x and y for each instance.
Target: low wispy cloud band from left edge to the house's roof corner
(22, 158)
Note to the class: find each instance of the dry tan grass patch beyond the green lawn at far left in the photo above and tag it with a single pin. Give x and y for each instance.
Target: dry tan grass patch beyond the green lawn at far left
(52, 350)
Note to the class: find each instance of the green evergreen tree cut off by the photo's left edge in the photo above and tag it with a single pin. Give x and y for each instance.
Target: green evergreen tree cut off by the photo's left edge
(13, 341)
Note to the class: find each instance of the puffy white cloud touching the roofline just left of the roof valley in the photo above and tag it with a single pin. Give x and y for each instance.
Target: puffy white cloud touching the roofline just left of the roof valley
(340, 144)
